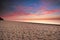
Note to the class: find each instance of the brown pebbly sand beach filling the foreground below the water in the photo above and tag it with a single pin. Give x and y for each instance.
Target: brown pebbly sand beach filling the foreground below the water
(10, 30)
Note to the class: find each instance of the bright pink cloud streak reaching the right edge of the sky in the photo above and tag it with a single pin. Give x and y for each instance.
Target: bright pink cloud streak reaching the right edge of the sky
(43, 10)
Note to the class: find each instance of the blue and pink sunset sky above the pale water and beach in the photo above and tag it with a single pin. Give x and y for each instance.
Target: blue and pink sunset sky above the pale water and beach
(30, 10)
